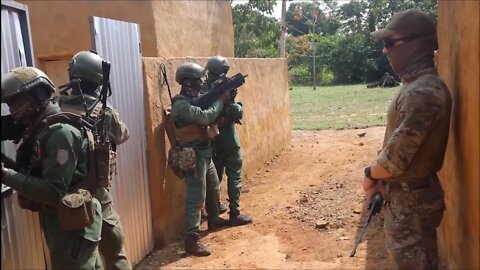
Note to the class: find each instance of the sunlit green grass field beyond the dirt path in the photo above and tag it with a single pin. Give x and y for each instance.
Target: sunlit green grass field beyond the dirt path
(339, 107)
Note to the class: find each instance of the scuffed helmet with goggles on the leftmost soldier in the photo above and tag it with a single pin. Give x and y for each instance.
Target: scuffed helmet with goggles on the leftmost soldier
(26, 79)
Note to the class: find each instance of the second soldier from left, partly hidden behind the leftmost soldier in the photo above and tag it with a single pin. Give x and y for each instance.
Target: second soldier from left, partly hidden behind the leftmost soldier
(87, 66)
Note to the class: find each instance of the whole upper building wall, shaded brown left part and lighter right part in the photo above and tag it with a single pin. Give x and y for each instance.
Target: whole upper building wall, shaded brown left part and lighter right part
(167, 28)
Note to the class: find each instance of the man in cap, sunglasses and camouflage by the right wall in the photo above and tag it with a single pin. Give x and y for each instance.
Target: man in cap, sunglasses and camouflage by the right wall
(414, 147)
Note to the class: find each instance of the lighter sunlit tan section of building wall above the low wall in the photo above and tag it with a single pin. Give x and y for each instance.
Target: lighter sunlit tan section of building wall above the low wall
(193, 28)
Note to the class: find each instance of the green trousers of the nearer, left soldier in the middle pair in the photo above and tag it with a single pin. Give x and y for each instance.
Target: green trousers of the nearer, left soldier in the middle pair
(202, 187)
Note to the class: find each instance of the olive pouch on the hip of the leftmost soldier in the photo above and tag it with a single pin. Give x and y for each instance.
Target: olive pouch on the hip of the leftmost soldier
(76, 210)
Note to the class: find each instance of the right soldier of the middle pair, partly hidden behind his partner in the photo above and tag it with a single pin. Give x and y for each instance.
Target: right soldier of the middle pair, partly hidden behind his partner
(227, 156)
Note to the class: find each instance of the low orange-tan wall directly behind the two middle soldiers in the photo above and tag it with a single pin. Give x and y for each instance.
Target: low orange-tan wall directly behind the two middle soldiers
(265, 130)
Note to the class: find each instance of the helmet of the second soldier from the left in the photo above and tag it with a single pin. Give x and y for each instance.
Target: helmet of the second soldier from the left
(86, 65)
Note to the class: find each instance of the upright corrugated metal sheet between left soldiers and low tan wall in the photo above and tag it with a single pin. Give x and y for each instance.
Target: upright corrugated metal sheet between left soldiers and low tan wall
(119, 43)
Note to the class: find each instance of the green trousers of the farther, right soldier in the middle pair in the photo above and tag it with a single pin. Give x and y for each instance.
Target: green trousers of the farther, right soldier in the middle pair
(230, 162)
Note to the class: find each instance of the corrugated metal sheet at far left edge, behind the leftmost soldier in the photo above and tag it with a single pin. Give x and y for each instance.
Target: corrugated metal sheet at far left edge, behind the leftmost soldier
(22, 240)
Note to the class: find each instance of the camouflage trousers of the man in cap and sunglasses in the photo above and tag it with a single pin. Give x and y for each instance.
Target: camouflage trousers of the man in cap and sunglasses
(410, 221)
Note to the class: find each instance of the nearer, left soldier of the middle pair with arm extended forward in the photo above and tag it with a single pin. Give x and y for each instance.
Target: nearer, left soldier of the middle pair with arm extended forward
(202, 183)
